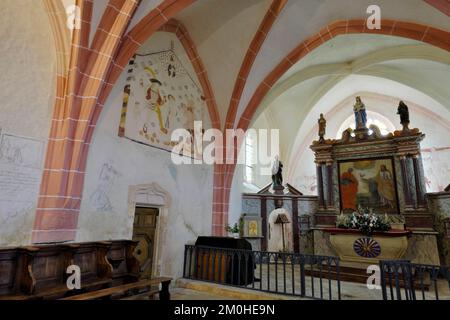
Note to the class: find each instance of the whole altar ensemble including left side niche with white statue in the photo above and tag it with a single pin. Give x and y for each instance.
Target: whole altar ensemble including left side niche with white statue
(371, 201)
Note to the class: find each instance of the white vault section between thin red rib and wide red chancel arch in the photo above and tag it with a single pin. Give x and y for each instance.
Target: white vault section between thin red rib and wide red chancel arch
(302, 19)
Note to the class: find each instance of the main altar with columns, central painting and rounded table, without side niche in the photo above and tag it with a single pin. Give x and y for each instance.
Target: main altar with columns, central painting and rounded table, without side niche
(383, 176)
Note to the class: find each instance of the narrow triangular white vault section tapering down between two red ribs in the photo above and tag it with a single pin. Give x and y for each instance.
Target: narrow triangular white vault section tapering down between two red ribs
(222, 31)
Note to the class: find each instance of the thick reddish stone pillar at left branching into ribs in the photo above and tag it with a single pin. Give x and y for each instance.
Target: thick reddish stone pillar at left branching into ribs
(92, 73)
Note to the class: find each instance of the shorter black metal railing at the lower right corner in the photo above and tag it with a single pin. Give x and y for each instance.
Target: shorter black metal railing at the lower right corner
(403, 280)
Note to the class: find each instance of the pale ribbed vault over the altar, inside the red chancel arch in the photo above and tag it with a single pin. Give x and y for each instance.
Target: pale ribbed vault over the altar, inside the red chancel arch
(346, 65)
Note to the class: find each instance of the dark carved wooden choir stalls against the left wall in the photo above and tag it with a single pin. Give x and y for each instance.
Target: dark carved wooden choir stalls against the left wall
(39, 272)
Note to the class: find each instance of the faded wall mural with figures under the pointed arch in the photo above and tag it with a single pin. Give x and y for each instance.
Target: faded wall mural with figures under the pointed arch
(161, 96)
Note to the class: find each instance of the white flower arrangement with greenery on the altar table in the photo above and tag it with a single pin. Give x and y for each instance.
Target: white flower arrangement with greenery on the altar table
(366, 221)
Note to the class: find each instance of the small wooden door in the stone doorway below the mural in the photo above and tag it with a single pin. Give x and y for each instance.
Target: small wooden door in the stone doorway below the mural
(144, 228)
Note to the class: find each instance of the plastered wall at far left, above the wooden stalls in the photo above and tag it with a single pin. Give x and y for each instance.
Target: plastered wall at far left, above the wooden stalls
(27, 82)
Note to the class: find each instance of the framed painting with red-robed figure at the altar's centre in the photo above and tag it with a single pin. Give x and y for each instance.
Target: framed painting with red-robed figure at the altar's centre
(369, 183)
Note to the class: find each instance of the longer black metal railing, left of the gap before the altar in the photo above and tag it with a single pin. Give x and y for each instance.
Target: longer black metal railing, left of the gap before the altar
(275, 272)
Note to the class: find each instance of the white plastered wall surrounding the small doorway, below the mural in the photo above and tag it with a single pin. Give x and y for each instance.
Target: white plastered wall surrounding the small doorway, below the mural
(104, 212)
